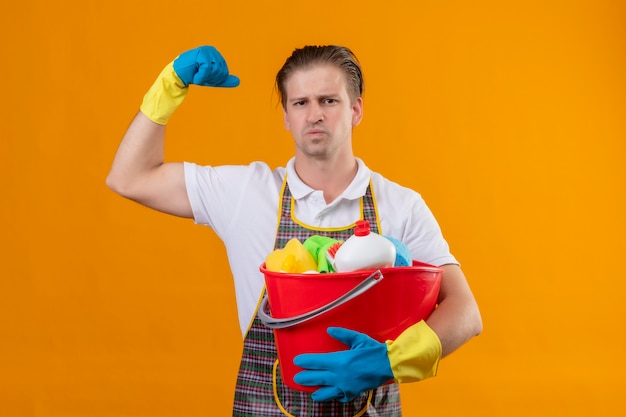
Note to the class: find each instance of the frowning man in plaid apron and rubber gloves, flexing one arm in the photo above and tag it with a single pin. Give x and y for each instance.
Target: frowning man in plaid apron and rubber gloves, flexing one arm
(323, 190)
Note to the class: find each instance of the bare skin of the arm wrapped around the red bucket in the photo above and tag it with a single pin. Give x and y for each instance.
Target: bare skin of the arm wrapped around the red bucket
(457, 318)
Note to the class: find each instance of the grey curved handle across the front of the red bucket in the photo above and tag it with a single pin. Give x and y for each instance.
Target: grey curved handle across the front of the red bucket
(281, 323)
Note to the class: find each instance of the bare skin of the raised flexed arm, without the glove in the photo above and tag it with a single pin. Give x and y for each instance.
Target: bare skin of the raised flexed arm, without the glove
(139, 173)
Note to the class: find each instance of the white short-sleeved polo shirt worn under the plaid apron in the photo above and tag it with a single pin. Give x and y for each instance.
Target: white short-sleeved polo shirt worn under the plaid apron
(240, 203)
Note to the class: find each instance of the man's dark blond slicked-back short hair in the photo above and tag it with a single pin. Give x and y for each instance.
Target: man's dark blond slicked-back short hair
(307, 56)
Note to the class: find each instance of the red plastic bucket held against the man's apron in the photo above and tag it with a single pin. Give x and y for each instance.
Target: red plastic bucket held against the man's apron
(380, 303)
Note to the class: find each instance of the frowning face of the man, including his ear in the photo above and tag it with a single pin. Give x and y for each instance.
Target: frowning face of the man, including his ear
(319, 112)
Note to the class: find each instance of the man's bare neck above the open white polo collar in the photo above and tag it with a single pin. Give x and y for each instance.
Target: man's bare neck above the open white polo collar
(330, 177)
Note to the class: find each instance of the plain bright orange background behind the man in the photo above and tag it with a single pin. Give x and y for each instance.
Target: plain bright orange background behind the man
(508, 117)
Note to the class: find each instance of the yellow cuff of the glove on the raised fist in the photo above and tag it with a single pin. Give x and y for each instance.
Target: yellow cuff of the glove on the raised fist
(165, 95)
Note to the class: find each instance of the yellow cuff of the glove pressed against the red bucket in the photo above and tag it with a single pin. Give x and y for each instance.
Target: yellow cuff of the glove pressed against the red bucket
(415, 354)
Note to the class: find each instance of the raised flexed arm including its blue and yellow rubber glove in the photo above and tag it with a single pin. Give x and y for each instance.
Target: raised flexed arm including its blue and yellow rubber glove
(139, 172)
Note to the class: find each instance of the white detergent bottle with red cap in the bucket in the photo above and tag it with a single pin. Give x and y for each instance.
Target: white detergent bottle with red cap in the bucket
(364, 250)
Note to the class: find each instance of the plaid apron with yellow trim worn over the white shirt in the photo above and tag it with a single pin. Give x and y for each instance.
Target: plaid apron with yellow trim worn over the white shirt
(260, 391)
